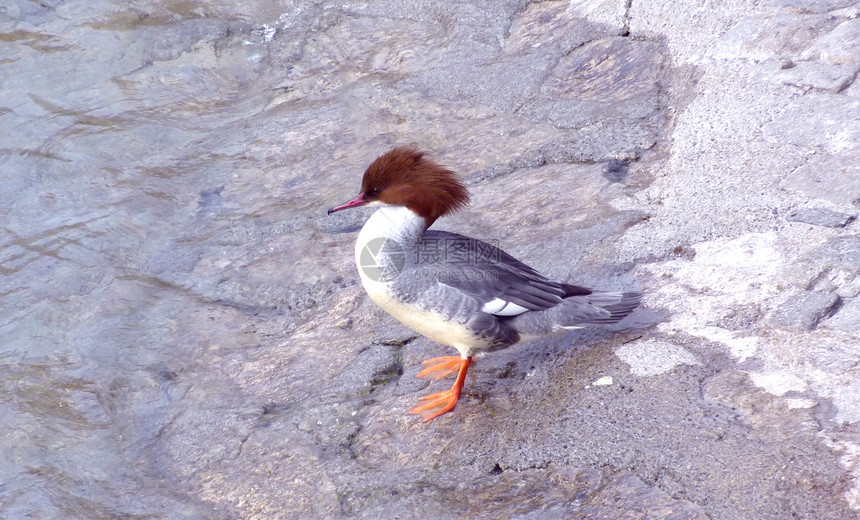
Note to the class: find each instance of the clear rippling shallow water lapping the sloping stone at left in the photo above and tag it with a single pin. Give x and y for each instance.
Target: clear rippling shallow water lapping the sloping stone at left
(121, 126)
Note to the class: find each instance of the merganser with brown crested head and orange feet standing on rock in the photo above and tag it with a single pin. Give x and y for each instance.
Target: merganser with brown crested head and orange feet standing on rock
(456, 290)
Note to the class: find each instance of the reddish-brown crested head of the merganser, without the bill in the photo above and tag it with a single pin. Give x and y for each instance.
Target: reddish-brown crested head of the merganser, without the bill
(405, 177)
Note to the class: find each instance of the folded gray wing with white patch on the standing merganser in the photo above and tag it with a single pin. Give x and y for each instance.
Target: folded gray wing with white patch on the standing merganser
(500, 283)
